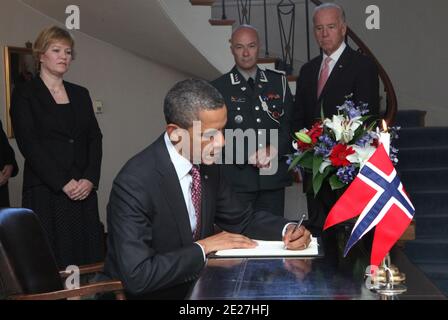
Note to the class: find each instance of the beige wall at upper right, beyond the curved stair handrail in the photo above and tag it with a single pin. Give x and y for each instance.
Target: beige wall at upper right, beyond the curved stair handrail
(411, 46)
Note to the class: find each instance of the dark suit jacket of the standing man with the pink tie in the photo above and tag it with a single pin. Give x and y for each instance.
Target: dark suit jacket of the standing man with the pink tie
(353, 73)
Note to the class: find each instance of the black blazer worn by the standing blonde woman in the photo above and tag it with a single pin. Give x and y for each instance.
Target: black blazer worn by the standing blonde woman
(54, 154)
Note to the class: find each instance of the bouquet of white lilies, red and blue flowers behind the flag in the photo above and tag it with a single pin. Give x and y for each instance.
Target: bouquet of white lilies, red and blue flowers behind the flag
(336, 148)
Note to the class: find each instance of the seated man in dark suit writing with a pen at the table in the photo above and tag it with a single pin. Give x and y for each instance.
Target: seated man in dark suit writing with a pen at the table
(165, 201)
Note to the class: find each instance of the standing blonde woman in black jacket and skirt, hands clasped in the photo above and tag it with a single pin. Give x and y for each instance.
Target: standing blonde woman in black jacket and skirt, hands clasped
(59, 137)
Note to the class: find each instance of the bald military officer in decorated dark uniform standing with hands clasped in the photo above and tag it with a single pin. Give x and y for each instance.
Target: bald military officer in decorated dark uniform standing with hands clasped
(259, 101)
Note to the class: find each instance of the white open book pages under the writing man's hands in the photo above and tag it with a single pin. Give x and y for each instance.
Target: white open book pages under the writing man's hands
(271, 249)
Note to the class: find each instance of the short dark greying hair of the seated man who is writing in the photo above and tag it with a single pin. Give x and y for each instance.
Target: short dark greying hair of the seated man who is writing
(187, 98)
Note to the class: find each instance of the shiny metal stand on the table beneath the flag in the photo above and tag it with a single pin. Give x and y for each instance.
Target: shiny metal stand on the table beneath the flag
(388, 280)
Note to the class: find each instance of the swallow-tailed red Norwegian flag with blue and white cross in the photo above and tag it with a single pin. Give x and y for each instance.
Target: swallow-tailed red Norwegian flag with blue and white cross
(378, 197)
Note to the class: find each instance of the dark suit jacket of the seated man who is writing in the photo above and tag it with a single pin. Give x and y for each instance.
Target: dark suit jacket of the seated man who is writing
(150, 245)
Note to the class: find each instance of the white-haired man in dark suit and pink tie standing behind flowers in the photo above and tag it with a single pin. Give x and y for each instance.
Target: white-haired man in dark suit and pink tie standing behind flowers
(323, 84)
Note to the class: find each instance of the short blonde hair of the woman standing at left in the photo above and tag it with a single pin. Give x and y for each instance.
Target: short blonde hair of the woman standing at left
(49, 35)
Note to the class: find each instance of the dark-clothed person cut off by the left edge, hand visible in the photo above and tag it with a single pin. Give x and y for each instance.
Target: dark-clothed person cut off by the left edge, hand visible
(8, 167)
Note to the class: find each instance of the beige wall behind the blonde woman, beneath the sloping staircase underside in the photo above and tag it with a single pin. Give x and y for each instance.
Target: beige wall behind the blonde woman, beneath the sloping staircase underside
(131, 89)
